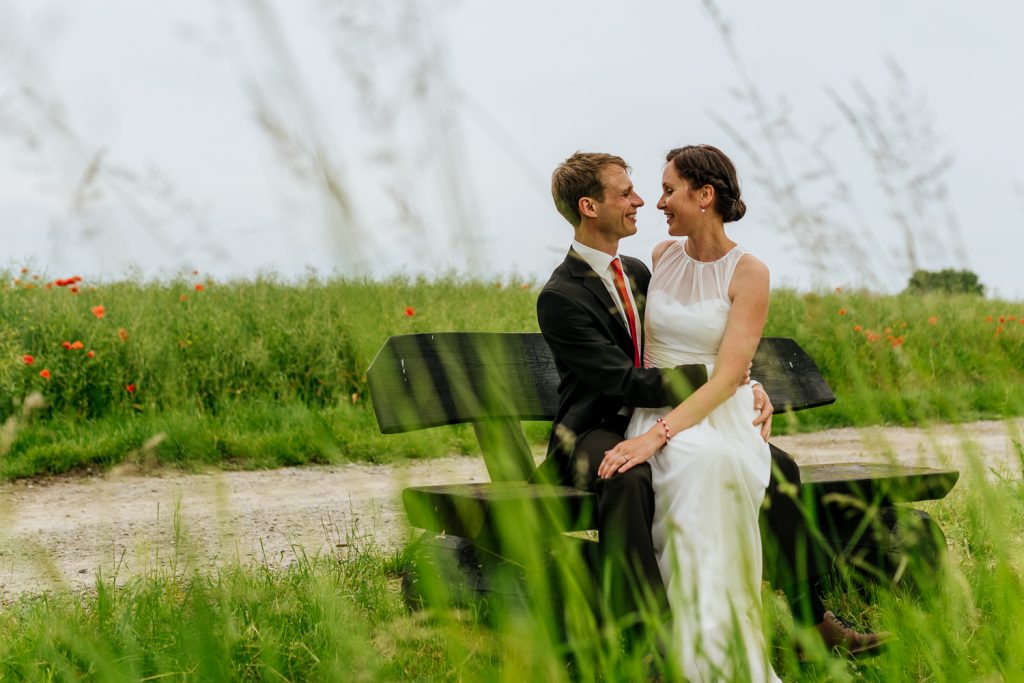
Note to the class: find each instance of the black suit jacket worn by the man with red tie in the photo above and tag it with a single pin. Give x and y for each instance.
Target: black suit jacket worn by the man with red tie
(593, 354)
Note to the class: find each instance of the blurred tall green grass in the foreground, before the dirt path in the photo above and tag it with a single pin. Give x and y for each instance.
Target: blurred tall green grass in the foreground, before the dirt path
(342, 618)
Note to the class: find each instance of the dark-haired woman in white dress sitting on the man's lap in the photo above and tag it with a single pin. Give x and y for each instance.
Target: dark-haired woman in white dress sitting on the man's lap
(707, 304)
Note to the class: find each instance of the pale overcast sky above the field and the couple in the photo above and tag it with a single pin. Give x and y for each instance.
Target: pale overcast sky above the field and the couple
(371, 139)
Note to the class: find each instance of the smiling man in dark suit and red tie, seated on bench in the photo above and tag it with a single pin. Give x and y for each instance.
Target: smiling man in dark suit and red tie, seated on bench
(591, 316)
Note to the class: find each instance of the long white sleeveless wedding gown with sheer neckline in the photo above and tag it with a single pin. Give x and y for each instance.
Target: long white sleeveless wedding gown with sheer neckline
(709, 483)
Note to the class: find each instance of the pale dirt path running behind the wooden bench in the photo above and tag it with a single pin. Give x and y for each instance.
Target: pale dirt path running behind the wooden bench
(59, 533)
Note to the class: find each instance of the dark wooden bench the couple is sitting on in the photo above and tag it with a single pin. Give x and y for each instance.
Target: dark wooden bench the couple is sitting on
(496, 381)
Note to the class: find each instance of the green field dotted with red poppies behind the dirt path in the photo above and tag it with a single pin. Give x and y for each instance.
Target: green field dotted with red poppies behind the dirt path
(268, 373)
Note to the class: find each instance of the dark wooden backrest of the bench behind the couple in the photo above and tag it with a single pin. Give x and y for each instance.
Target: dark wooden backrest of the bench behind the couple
(495, 380)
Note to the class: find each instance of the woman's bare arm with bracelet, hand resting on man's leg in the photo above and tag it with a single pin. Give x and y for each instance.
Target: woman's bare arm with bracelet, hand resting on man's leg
(743, 333)
